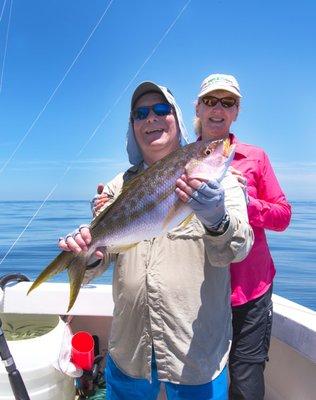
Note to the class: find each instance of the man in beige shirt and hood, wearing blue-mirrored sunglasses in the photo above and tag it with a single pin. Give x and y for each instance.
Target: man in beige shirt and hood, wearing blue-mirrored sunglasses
(172, 316)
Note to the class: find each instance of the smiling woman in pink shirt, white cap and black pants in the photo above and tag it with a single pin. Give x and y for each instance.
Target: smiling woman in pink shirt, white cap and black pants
(251, 280)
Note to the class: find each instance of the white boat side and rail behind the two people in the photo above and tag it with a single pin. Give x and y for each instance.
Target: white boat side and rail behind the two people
(290, 373)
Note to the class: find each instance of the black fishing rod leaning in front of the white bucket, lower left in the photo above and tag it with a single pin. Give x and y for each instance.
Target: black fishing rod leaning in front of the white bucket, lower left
(15, 378)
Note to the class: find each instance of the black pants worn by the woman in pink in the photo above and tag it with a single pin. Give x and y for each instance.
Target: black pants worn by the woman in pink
(252, 324)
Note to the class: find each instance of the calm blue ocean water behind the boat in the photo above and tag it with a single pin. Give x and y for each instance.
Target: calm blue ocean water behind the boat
(294, 251)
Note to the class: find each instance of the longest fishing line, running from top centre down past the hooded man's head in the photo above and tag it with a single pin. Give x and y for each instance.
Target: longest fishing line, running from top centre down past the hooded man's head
(98, 126)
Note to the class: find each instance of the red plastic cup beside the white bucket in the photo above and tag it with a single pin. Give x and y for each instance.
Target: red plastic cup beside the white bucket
(82, 350)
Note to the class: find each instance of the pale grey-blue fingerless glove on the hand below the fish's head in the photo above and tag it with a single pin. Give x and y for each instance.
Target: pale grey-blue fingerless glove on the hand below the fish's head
(208, 204)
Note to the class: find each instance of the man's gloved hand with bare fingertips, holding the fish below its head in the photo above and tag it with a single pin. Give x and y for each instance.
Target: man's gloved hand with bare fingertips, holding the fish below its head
(205, 198)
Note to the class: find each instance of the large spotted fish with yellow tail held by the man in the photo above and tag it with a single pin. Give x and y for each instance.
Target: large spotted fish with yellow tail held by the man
(147, 207)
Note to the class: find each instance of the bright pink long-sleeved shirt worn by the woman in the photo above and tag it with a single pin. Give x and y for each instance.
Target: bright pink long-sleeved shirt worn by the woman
(267, 209)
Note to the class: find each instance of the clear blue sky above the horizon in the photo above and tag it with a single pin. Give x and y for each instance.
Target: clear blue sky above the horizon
(269, 46)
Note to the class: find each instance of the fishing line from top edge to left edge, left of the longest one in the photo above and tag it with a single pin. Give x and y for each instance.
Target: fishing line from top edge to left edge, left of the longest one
(56, 89)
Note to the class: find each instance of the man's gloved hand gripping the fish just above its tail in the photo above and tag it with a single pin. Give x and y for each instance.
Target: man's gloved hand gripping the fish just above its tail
(78, 241)
